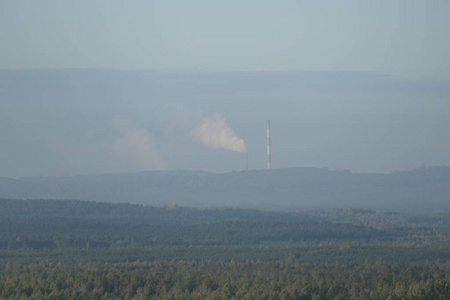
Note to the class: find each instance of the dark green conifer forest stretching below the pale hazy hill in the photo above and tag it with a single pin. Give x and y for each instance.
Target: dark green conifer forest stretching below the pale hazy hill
(68, 249)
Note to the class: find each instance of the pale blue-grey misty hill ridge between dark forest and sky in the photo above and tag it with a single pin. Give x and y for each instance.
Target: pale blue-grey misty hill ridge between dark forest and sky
(419, 190)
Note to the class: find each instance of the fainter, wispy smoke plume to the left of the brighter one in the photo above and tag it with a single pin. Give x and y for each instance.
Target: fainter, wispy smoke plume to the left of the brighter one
(136, 145)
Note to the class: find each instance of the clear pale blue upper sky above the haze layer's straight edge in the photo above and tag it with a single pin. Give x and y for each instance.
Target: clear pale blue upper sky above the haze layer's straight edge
(400, 38)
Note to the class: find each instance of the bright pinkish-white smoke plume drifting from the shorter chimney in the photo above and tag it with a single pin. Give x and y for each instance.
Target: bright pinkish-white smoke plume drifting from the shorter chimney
(213, 132)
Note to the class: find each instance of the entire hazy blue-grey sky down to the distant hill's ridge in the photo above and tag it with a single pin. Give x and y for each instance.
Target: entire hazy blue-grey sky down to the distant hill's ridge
(358, 85)
